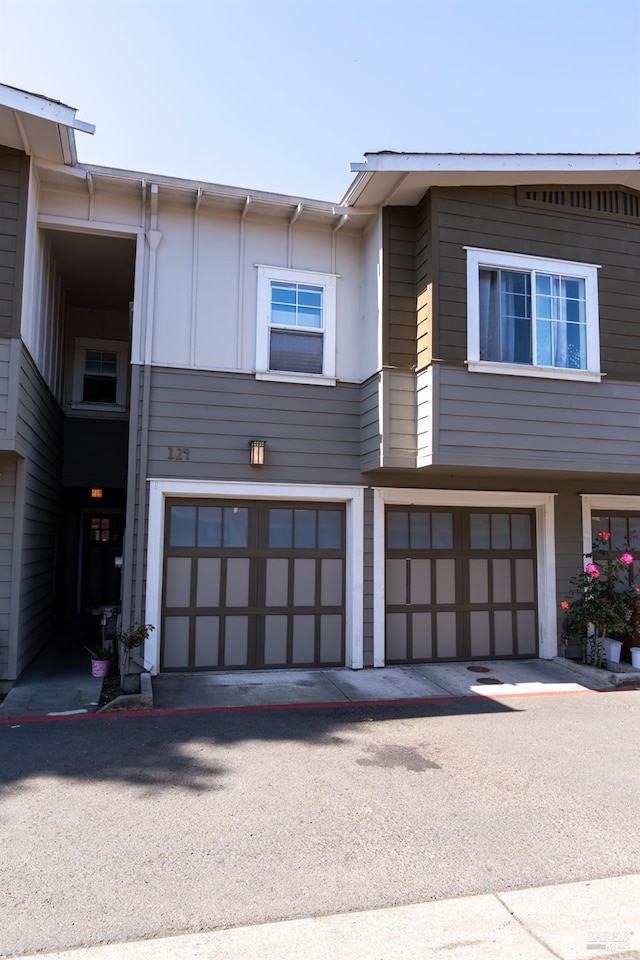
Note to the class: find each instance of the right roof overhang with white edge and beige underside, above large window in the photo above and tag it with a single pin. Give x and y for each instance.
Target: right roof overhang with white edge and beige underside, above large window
(402, 179)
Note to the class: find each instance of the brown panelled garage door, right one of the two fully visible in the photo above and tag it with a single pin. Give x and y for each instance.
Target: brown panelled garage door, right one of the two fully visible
(460, 584)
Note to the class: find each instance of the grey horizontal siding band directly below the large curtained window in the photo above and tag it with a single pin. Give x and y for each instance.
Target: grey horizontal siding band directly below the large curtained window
(489, 420)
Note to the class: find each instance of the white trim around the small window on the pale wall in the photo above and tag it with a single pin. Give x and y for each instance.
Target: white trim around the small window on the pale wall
(325, 280)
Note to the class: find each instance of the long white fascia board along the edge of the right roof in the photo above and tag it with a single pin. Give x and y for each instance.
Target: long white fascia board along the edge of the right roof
(496, 163)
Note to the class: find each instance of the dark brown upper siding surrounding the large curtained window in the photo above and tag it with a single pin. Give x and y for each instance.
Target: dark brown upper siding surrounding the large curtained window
(492, 218)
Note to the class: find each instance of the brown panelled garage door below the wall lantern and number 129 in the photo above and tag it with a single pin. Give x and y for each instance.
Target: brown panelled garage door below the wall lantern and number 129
(253, 585)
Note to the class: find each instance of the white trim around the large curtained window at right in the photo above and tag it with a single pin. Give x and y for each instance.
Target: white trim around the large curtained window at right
(478, 257)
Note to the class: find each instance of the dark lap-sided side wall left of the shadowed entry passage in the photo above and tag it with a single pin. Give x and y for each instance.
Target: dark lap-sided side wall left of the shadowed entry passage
(39, 432)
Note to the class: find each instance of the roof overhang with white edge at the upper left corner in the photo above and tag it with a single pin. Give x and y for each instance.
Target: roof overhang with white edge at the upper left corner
(38, 126)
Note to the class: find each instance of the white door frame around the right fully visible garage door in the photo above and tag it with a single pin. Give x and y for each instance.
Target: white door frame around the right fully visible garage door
(543, 503)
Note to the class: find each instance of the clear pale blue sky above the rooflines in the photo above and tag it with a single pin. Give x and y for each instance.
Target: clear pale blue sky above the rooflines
(281, 96)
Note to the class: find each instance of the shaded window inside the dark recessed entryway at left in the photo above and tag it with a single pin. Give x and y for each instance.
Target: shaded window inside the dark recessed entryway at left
(100, 375)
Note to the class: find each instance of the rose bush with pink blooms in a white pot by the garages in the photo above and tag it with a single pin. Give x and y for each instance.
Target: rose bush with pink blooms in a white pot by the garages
(602, 601)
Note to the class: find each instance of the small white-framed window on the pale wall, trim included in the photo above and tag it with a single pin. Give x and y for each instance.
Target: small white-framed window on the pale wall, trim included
(296, 332)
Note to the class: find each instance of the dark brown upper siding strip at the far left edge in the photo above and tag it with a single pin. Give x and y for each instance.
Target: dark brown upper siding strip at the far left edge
(14, 171)
